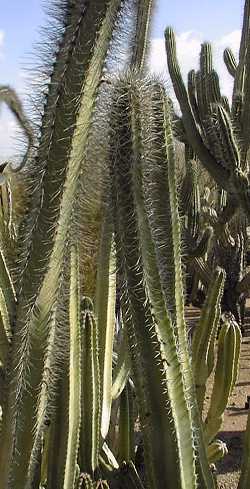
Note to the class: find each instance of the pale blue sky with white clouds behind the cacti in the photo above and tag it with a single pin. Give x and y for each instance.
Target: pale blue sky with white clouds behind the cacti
(193, 20)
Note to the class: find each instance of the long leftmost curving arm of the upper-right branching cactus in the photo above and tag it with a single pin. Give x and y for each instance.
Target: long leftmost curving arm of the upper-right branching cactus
(193, 134)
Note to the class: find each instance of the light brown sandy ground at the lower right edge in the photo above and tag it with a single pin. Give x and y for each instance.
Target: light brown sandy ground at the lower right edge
(235, 417)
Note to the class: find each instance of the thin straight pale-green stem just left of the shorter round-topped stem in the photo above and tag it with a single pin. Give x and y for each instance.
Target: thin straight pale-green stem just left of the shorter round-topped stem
(74, 373)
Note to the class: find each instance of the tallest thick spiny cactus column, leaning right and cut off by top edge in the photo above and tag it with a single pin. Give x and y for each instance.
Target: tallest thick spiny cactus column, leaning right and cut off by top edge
(87, 32)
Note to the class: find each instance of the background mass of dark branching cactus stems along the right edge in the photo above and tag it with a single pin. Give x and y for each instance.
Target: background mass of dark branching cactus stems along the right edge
(215, 132)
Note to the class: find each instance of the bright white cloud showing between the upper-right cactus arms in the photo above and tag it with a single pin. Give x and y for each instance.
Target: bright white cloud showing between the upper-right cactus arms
(188, 49)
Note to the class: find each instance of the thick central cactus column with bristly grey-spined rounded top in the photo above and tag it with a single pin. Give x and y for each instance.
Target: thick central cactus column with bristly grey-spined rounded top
(153, 339)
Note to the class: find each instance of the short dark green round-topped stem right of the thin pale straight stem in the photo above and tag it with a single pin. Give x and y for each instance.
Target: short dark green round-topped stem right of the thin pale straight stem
(91, 400)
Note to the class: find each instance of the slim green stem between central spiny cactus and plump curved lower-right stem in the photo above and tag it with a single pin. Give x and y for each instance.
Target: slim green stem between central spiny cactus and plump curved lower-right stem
(205, 335)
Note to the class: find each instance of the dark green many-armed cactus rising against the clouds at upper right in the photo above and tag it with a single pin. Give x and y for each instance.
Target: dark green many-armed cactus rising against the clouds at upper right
(217, 133)
